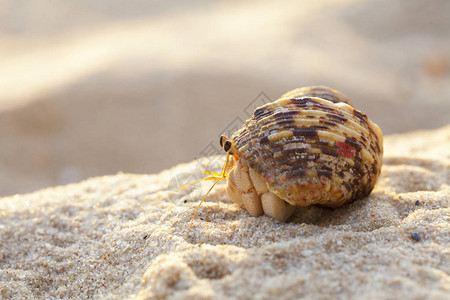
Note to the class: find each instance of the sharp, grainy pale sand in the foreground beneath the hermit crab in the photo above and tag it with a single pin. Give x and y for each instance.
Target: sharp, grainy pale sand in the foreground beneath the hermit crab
(87, 239)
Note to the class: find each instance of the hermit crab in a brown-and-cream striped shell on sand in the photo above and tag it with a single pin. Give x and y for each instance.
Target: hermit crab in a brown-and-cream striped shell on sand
(308, 147)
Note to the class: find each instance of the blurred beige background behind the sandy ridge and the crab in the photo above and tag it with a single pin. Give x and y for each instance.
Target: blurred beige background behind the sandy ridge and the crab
(91, 88)
